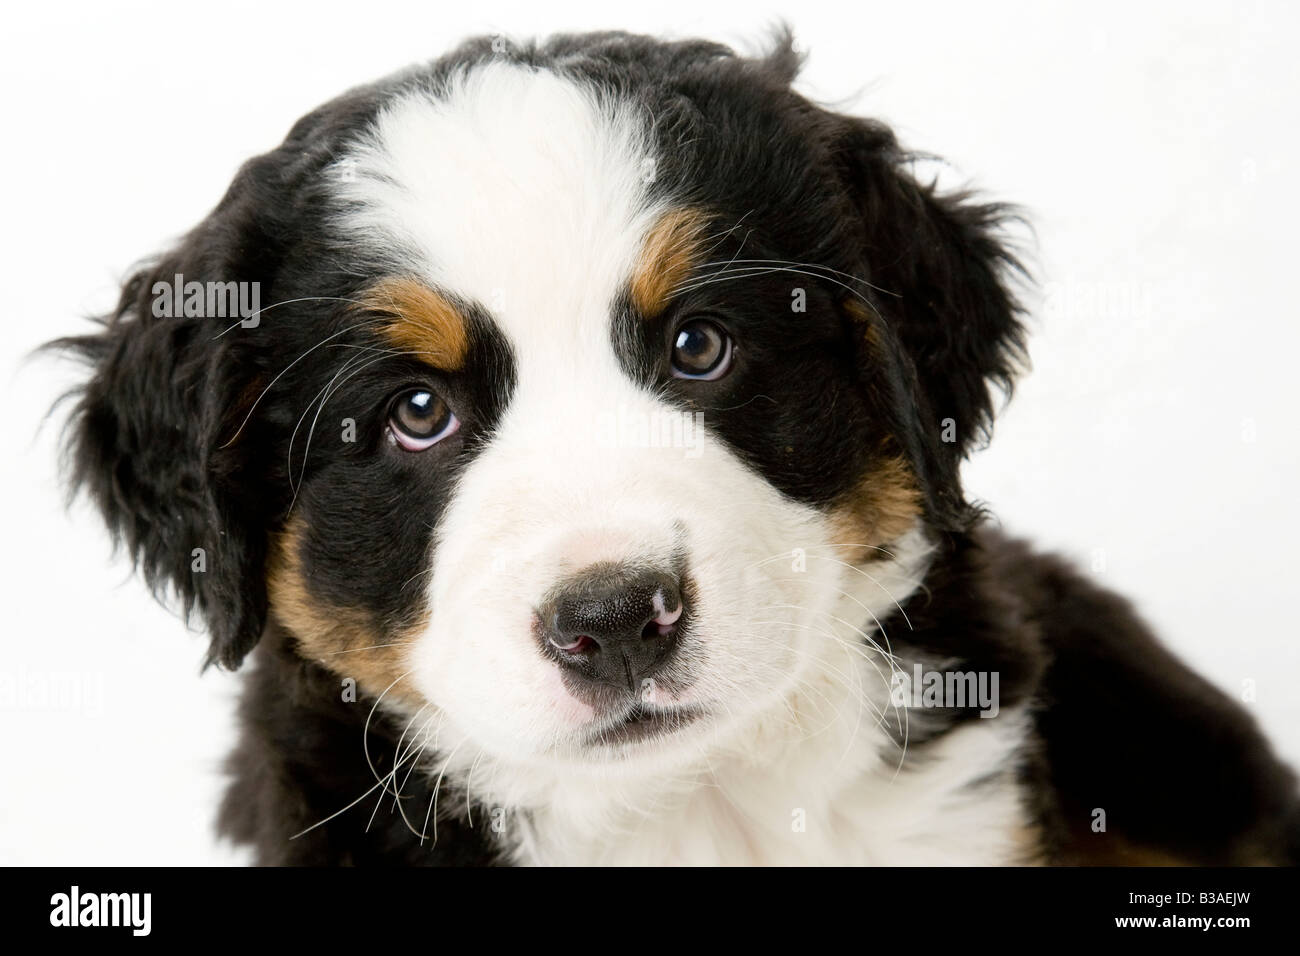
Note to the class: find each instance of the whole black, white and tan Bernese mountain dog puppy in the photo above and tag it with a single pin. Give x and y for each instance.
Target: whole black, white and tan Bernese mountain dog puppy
(570, 436)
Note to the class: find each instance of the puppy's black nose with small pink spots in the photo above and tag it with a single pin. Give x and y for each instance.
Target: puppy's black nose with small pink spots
(616, 625)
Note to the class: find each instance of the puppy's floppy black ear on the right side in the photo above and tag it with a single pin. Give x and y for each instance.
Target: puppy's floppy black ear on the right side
(942, 269)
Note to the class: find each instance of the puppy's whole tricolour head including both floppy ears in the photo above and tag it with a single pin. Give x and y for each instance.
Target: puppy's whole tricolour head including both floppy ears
(595, 388)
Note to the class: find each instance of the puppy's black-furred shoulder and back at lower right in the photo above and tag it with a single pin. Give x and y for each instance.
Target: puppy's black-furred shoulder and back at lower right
(1139, 759)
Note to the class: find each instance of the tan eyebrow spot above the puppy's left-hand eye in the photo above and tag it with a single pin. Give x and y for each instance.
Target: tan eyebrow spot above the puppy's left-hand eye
(419, 321)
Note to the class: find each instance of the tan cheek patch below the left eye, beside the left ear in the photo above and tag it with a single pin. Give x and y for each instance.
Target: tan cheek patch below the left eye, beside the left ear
(345, 641)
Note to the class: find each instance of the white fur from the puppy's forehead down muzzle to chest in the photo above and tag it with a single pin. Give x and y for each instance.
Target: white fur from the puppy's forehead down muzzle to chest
(526, 193)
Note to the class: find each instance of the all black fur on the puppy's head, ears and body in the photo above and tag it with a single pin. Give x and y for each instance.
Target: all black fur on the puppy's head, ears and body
(194, 434)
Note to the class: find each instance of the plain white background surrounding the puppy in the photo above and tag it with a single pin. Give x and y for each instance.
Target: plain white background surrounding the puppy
(1154, 148)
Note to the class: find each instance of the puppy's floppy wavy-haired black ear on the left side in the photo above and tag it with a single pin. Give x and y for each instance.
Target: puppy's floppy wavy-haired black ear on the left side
(157, 435)
